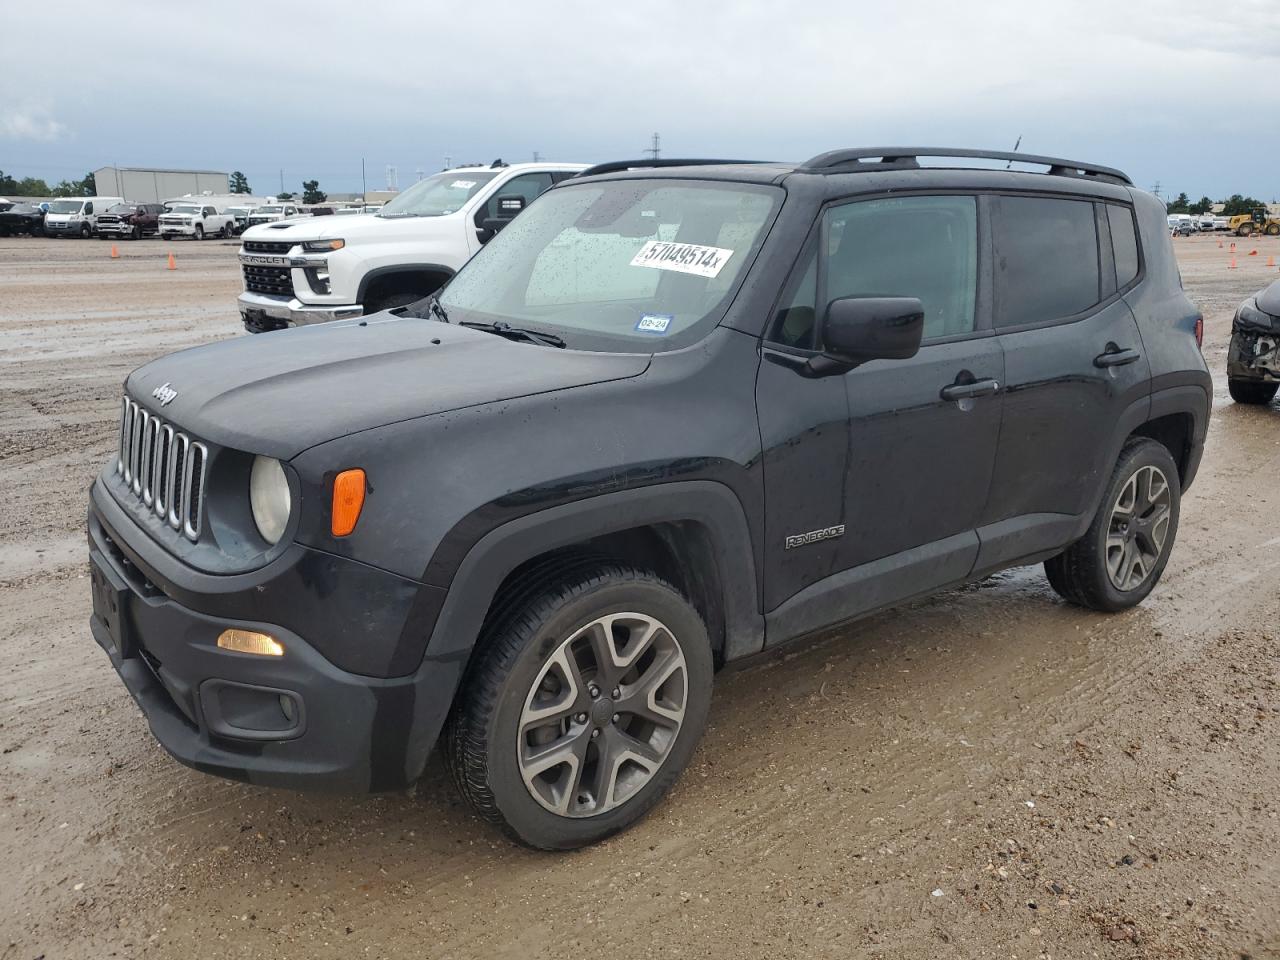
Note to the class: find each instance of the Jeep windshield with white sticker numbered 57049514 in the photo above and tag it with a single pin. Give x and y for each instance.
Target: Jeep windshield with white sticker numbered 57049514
(619, 266)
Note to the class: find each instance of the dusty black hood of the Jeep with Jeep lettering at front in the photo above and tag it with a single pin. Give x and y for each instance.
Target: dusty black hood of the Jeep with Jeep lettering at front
(280, 394)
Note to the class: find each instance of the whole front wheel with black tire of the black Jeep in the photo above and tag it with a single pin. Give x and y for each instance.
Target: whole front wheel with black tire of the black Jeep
(586, 702)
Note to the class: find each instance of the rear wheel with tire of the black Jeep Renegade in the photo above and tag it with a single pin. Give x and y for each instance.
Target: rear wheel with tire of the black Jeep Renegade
(1122, 557)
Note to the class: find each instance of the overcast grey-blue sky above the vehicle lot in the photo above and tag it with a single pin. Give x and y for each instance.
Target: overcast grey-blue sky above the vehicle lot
(1182, 93)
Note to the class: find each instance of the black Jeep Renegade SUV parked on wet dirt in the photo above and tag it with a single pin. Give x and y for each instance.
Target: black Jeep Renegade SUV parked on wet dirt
(675, 415)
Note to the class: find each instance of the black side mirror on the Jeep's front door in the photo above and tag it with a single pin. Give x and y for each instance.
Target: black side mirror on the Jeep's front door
(861, 330)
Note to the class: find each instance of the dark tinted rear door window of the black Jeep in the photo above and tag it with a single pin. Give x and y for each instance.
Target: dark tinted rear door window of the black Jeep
(1046, 255)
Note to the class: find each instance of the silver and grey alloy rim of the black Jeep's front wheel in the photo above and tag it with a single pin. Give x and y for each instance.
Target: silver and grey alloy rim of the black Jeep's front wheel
(604, 715)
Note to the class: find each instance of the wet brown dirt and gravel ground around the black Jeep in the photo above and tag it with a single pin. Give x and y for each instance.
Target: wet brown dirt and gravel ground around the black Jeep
(986, 774)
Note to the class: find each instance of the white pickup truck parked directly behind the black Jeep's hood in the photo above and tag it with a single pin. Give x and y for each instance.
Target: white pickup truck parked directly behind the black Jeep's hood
(335, 268)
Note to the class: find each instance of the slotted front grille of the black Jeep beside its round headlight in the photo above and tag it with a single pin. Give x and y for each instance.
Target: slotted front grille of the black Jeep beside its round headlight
(163, 468)
